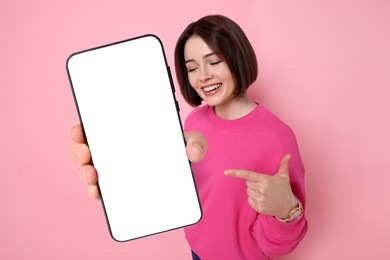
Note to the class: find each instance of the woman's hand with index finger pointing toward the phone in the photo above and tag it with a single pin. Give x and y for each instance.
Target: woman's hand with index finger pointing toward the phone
(269, 194)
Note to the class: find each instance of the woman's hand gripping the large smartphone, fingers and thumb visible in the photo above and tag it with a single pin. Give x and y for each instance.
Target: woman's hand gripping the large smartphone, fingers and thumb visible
(79, 152)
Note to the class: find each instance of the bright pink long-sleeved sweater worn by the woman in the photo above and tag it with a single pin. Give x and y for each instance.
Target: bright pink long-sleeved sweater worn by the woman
(230, 228)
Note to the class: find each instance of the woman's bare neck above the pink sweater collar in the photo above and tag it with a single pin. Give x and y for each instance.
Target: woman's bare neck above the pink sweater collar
(235, 108)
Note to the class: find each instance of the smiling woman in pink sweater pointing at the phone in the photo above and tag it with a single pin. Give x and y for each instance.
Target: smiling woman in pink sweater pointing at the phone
(251, 179)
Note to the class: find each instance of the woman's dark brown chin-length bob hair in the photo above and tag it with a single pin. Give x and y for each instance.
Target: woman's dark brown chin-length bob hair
(226, 39)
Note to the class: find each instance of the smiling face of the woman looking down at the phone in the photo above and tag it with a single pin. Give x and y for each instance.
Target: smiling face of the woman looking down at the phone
(208, 73)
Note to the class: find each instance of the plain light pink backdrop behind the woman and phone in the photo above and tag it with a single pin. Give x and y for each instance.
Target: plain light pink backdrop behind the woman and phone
(324, 69)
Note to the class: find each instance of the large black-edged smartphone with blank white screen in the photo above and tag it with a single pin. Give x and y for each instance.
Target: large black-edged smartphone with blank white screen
(128, 111)
